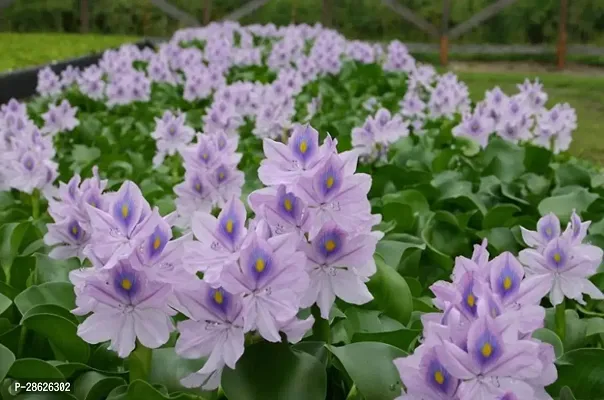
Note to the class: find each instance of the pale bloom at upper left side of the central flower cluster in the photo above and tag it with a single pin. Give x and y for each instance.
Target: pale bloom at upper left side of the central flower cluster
(219, 240)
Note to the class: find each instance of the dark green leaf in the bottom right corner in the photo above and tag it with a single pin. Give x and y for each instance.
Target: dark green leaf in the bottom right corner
(582, 370)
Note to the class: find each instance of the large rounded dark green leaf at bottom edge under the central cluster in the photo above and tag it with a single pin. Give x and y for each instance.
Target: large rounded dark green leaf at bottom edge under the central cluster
(275, 371)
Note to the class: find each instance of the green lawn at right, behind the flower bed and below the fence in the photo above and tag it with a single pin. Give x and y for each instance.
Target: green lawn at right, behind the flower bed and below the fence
(584, 93)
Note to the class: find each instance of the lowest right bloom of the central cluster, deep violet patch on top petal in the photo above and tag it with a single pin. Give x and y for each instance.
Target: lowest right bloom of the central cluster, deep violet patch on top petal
(339, 264)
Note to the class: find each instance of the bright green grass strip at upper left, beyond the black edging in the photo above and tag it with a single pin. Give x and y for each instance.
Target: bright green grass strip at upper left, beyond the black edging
(19, 50)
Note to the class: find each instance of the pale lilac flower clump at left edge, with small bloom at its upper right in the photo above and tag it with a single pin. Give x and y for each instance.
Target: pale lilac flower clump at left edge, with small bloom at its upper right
(27, 153)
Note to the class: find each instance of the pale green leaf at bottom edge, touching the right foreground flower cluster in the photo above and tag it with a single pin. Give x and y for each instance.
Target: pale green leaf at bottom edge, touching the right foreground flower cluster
(370, 366)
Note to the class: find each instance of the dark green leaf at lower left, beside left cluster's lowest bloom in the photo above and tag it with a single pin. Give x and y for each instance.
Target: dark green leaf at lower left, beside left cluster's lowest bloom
(60, 331)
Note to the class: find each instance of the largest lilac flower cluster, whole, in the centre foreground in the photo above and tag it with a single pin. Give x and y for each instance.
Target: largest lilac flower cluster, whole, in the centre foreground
(310, 241)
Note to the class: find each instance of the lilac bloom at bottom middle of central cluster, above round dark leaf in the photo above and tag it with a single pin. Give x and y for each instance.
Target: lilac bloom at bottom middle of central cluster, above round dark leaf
(271, 278)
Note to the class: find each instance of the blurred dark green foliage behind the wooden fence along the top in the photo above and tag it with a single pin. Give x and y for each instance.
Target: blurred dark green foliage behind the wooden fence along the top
(524, 22)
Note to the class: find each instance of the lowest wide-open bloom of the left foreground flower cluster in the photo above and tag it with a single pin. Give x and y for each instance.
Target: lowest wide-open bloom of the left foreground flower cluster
(128, 307)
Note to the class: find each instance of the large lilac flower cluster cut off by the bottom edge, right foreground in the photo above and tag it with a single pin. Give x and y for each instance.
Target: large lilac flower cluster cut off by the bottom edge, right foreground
(480, 345)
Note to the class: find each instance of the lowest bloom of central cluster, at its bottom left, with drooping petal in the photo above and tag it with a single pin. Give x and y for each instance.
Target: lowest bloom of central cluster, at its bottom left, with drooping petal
(215, 331)
